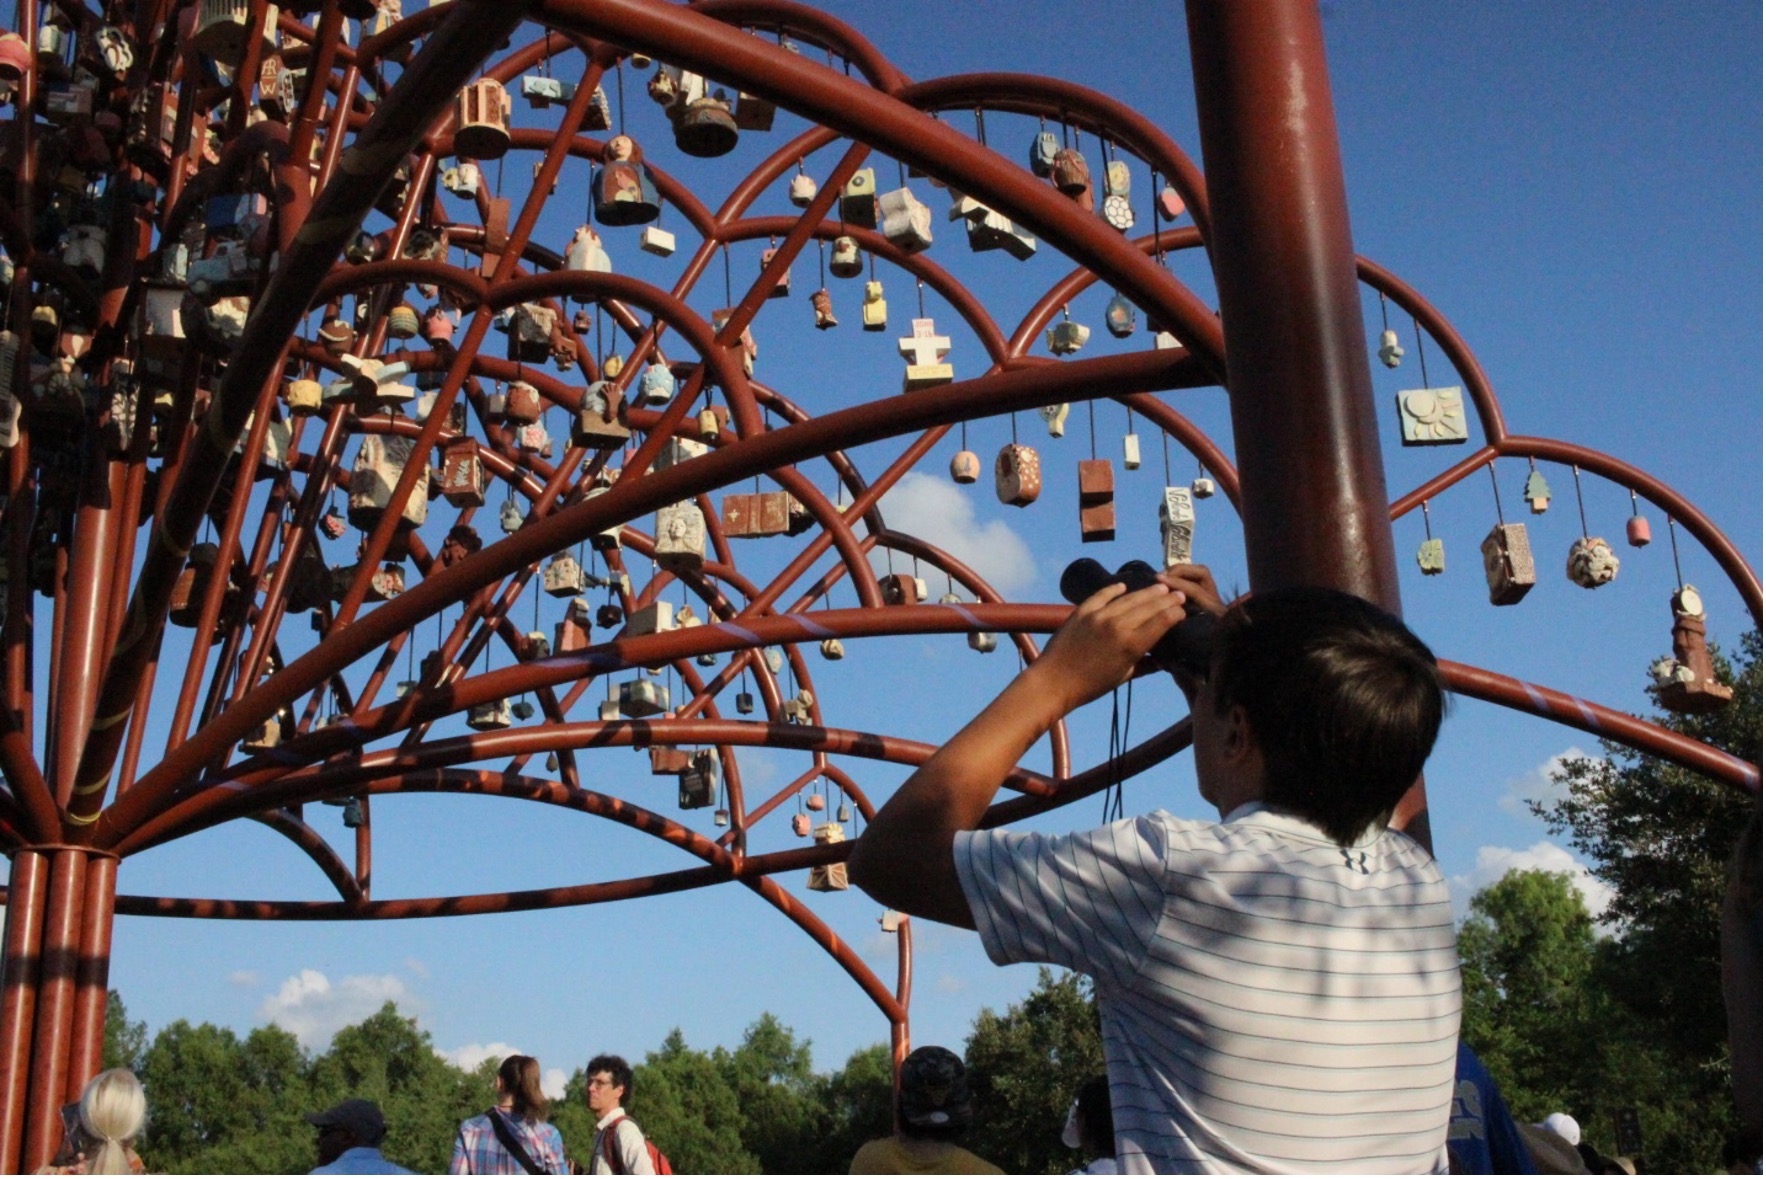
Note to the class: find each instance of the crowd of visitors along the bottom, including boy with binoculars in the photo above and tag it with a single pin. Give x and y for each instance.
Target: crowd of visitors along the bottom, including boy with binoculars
(1278, 991)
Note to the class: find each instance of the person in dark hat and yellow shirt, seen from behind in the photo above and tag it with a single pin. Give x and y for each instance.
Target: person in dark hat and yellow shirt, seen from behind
(932, 1113)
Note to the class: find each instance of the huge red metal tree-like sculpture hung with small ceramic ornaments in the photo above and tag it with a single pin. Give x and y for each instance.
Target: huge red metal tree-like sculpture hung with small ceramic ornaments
(238, 292)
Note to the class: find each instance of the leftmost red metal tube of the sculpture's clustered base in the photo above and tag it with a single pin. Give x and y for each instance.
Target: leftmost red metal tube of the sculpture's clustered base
(27, 890)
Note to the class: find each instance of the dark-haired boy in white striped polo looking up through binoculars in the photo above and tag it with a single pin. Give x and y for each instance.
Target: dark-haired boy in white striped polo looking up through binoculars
(1278, 989)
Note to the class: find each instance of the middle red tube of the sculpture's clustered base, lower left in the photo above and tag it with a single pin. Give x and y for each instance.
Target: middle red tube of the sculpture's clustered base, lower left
(56, 1007)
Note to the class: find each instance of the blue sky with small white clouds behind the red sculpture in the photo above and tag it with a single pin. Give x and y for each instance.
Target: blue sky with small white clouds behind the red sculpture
(1578, 188)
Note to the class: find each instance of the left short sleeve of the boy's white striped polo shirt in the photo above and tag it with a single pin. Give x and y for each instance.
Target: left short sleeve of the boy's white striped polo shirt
(1089, 901)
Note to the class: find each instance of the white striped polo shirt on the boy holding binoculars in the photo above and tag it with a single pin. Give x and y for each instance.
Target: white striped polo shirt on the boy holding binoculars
(1271, 1002)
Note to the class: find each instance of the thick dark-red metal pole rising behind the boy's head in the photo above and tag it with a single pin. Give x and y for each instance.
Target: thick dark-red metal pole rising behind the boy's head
(1304, 428)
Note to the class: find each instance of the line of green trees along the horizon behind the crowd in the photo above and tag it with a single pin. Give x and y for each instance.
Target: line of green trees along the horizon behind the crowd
(1566, 1016)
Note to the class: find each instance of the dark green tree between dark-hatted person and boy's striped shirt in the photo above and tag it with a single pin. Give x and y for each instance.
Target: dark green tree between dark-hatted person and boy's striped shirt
(1025, 1069)
